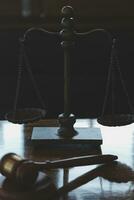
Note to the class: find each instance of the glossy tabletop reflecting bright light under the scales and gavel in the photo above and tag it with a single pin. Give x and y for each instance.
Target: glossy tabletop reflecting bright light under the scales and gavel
(117, 183)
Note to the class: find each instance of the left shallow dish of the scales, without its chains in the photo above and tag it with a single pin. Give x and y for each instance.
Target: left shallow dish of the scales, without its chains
(26, 115)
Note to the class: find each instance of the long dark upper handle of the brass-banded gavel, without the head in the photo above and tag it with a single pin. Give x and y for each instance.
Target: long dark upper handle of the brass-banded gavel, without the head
(77, 161)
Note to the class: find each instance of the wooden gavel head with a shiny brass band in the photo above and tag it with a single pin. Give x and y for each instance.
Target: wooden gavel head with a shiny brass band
(20, 170)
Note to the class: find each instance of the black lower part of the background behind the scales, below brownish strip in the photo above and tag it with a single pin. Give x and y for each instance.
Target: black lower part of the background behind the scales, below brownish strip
(89, 70)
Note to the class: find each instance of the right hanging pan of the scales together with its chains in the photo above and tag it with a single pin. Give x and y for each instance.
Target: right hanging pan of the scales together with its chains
(115, 118)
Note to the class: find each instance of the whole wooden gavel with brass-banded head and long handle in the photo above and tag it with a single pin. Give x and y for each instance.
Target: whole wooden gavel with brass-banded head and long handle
(25, 172)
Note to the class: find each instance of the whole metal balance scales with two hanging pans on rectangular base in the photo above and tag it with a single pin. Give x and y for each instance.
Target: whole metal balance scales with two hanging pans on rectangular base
(66, 133)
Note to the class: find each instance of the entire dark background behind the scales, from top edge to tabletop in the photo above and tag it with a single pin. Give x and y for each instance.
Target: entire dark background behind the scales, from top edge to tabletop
(90, 58)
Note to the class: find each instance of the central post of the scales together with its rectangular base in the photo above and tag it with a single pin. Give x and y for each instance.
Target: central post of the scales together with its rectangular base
(65, 135)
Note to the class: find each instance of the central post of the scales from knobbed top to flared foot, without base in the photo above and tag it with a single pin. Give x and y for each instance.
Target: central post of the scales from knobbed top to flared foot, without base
(67, 120)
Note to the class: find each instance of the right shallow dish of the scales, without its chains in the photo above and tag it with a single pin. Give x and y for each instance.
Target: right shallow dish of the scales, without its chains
(116, 120)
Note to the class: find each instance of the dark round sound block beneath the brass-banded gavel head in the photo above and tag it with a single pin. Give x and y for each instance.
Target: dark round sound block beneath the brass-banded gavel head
(41, 190)
